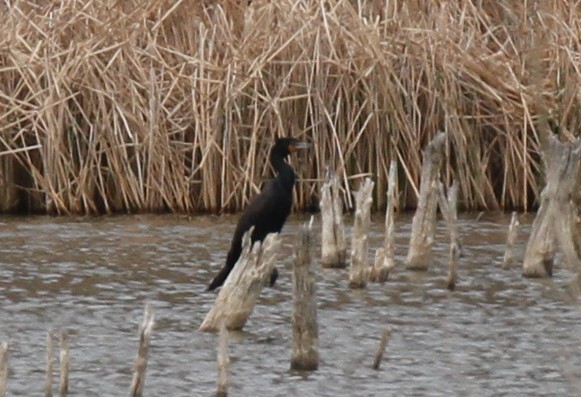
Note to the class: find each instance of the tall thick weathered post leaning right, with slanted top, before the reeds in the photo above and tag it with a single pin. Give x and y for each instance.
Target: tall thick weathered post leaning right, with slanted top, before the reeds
(424, 221)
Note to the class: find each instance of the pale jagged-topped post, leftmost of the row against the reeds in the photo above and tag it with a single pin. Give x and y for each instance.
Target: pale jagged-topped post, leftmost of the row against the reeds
(333, 246)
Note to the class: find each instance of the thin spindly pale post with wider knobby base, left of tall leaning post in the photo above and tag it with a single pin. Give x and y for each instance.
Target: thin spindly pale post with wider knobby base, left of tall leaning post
(385, 256)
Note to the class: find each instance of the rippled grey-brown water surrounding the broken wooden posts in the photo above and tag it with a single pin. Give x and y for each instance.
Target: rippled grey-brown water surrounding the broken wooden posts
(497, 334)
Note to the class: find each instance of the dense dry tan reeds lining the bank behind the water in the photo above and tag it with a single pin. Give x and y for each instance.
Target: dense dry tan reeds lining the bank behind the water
(171, 105)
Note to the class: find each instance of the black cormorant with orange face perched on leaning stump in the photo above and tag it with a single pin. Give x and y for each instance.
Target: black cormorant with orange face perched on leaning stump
(268, 211)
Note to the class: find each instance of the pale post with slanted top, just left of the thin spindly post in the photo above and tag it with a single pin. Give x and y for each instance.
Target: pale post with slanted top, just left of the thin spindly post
(360, 269)
